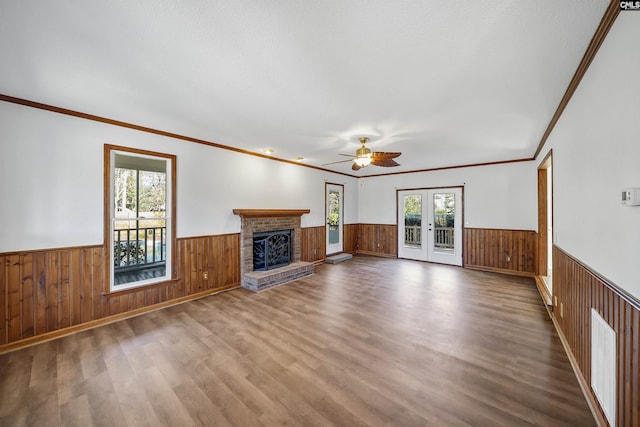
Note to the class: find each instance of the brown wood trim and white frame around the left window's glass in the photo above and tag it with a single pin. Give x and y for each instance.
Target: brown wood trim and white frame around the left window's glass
(170, 214)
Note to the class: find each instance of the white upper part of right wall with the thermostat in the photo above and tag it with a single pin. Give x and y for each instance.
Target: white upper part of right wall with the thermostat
(596, 153)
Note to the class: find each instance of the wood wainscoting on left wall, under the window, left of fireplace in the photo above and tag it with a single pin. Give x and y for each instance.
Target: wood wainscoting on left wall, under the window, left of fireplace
(51, 290)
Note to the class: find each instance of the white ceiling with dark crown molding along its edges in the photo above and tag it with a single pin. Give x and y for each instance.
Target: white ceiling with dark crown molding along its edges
(444, 82)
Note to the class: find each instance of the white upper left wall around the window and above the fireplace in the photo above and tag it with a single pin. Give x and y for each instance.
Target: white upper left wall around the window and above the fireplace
(52, 176)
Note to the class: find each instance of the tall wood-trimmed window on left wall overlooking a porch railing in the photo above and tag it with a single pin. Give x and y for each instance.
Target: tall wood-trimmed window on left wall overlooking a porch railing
(140, 188)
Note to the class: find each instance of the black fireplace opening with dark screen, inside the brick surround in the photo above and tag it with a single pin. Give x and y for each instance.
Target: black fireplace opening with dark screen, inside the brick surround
(271, 249)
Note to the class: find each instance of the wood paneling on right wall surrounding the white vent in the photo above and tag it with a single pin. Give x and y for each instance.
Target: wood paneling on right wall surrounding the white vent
(578, 289)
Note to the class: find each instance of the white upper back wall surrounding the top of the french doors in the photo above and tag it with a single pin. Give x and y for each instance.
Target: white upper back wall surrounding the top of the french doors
(495, 196)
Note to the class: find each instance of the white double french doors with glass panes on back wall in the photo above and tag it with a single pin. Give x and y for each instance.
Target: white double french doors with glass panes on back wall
(430, 225)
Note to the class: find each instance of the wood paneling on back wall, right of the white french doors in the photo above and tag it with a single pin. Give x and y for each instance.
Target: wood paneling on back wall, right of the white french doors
(511, 251)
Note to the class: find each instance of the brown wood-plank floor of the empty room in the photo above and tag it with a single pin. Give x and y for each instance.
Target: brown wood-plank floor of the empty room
(371, 341)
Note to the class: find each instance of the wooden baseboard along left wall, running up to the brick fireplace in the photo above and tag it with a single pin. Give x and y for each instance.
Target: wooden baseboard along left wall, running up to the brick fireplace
(49, 336)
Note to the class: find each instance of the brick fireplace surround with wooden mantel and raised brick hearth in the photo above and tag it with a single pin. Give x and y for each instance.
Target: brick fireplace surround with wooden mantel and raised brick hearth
(266, 220)
